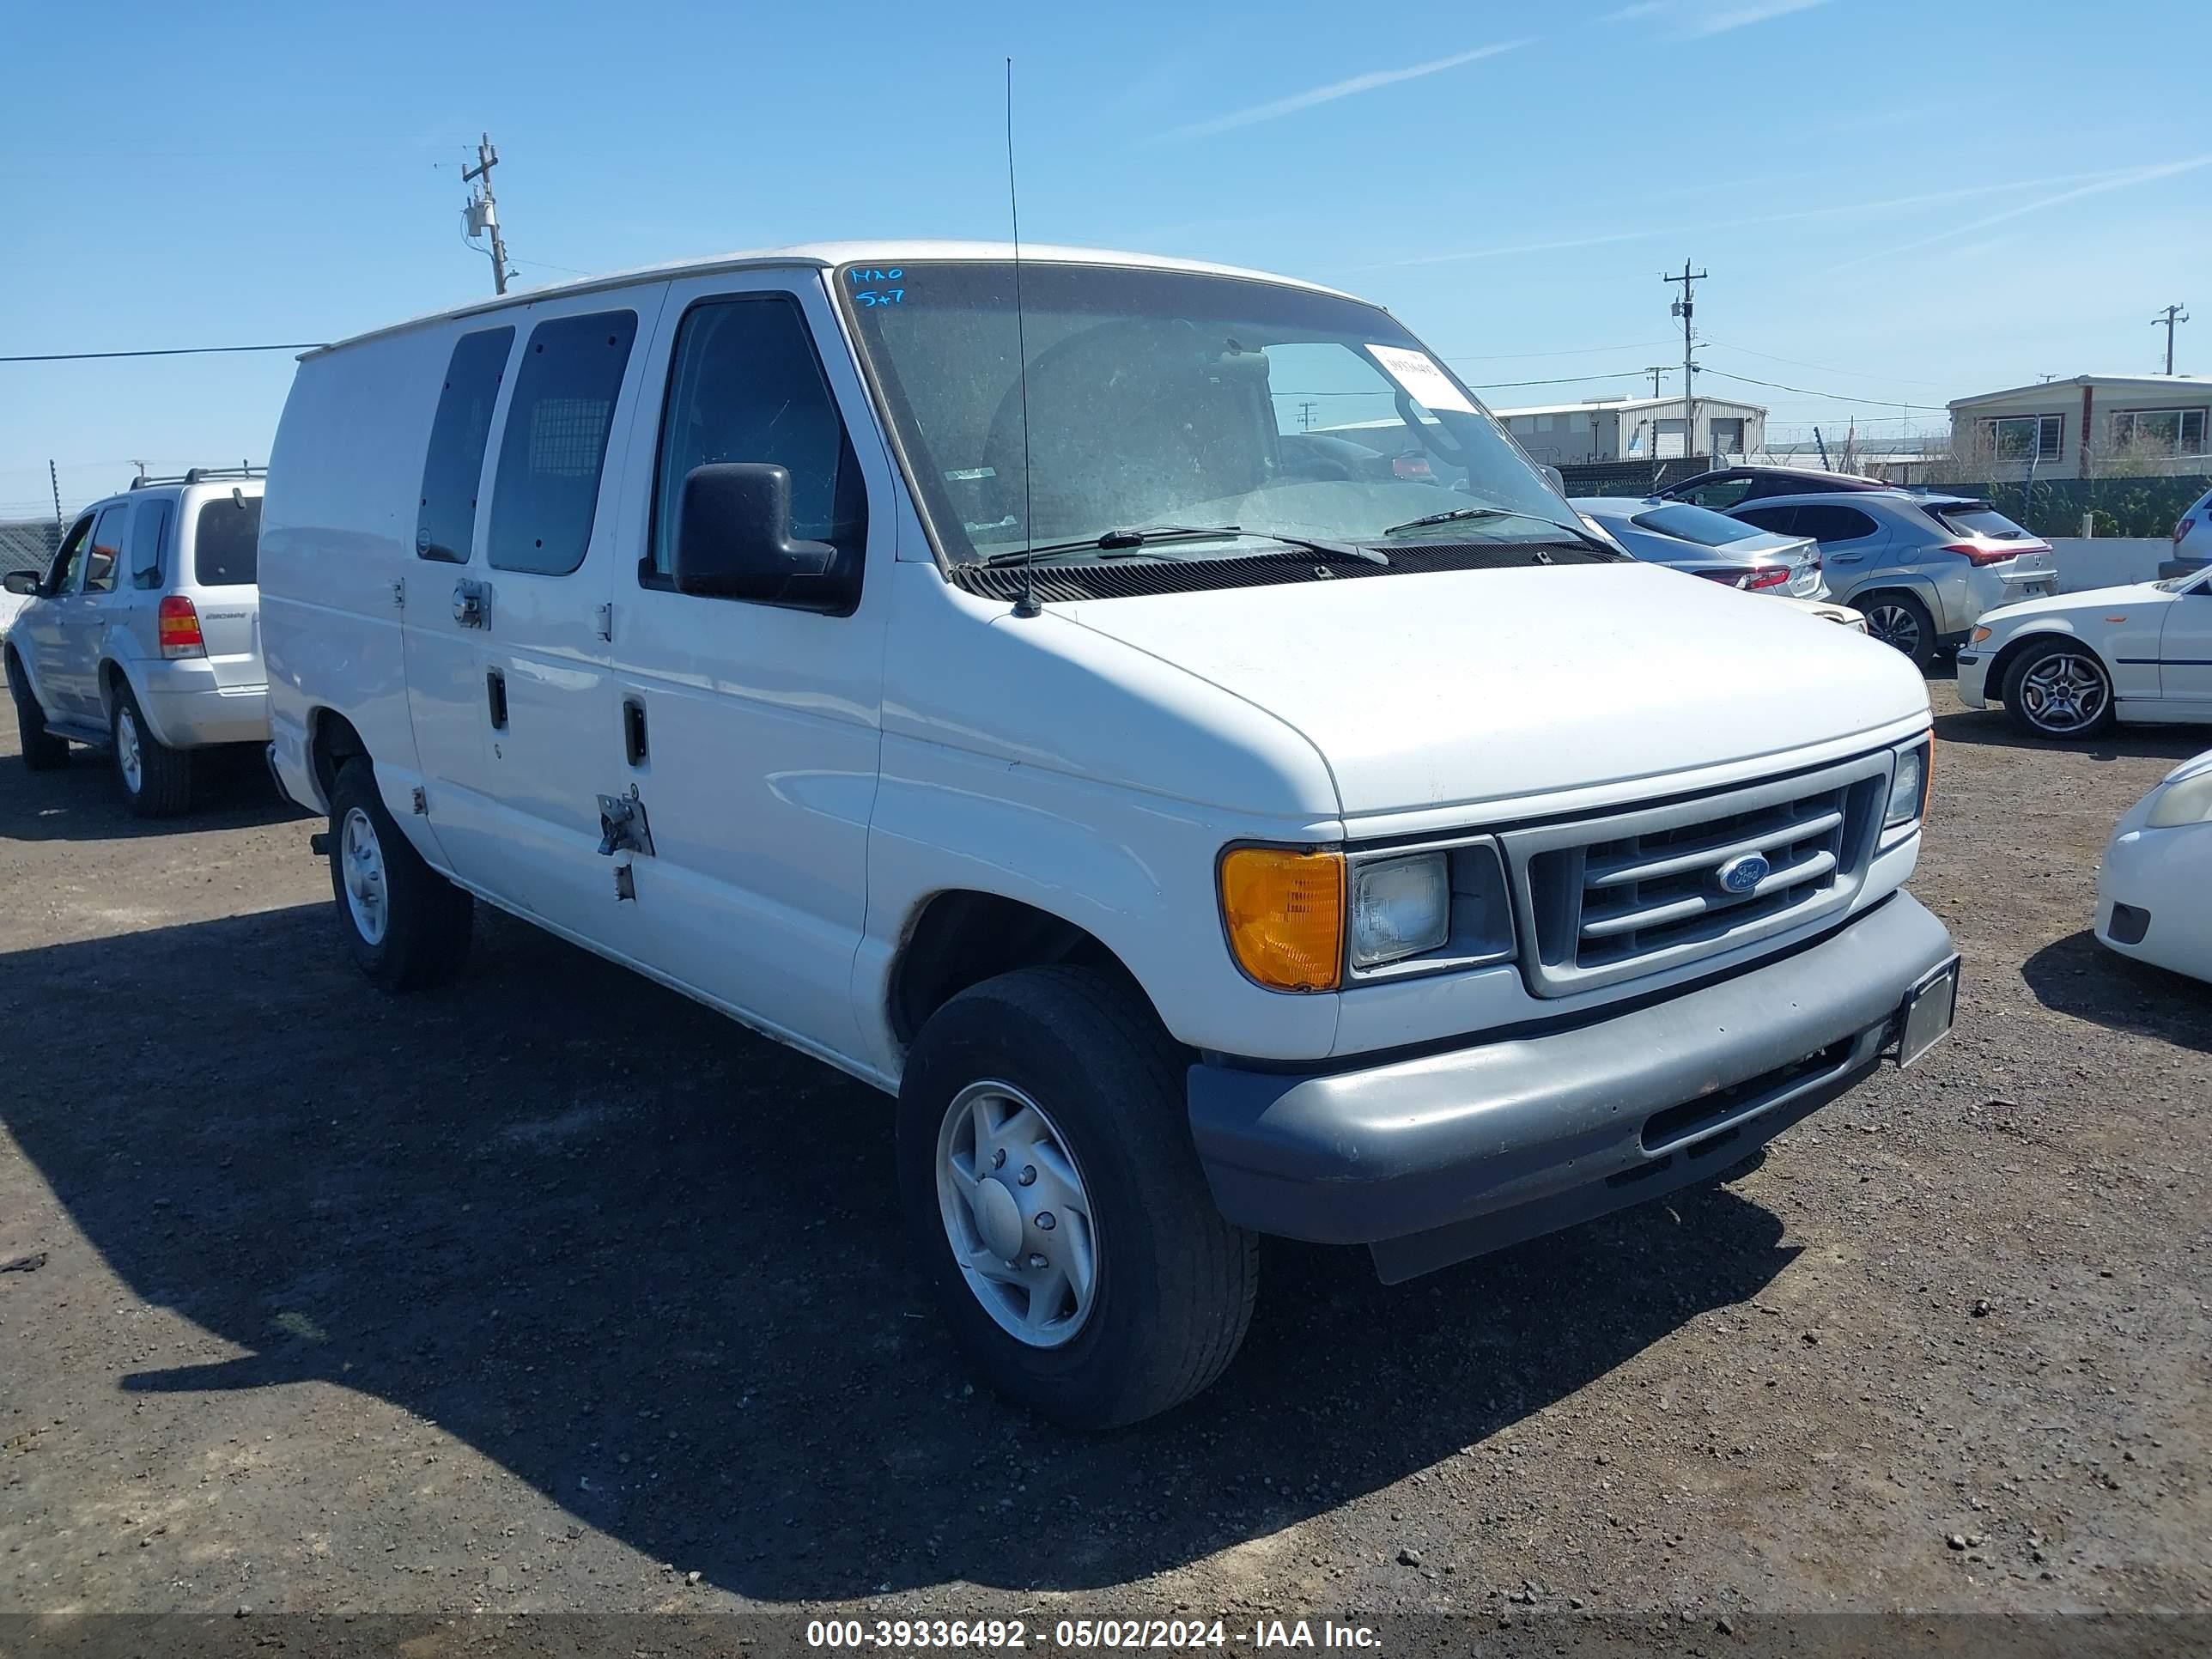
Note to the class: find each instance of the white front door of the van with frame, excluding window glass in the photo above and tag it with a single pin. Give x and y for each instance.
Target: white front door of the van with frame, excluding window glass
(764, 731)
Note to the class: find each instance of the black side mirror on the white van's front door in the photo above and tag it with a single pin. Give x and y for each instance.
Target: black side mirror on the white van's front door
(735, 541)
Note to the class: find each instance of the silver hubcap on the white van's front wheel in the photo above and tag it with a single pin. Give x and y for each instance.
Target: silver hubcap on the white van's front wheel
(1016, 1213)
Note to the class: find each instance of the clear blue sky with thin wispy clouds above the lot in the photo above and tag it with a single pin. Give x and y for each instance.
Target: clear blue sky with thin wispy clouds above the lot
(1899, 202)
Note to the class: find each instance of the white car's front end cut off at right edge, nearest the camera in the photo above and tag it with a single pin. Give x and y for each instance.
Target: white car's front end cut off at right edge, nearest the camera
(2156, 877)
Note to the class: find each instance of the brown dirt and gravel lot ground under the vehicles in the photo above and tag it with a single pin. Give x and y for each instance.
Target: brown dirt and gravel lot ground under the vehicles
(559, 1293)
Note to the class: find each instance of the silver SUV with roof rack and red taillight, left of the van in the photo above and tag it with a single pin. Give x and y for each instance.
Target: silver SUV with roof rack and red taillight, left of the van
(145, 636)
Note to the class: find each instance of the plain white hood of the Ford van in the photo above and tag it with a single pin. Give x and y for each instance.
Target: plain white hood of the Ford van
(1470, 687)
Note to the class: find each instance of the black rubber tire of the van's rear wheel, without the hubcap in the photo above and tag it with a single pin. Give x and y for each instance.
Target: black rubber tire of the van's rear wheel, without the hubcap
(428, 921)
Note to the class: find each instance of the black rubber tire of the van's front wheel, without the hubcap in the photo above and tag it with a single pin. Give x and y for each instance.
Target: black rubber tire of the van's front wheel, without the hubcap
(1173, 1282)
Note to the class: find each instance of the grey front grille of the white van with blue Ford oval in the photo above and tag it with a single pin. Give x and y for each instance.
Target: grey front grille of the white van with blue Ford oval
(1638, 893)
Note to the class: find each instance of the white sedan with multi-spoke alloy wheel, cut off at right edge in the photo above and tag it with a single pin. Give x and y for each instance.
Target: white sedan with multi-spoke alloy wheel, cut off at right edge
(2076, 662)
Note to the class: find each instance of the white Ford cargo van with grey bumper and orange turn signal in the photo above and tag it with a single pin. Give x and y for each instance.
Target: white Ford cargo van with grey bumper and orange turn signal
(968, 676)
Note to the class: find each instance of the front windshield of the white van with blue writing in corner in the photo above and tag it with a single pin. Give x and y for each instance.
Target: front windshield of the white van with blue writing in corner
(1178, 399)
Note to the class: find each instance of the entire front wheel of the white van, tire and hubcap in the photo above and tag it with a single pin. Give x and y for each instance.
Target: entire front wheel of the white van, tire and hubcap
(1050, 1182)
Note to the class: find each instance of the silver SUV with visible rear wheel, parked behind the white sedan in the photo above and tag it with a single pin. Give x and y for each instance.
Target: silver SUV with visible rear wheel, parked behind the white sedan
(1921, 567)
